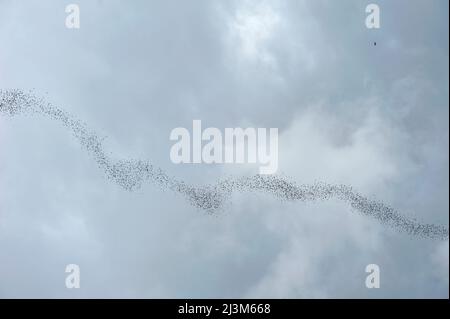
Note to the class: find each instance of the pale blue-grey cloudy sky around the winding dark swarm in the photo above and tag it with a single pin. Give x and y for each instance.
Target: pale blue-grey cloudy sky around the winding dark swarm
(348, 111)
